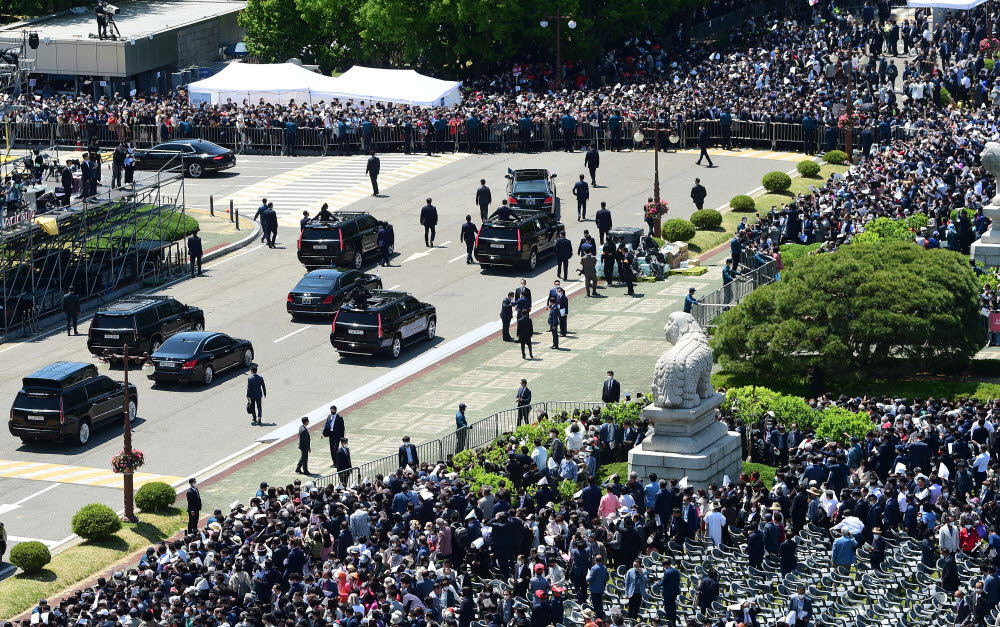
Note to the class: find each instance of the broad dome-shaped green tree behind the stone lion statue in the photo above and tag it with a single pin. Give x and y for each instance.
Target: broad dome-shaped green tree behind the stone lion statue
(887, 308)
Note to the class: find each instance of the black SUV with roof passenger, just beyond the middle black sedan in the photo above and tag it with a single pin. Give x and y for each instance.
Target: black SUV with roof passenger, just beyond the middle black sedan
(342, 241)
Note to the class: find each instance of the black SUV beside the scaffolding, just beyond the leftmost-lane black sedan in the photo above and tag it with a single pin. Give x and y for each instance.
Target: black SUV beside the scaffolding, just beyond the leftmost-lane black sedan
(142, 322)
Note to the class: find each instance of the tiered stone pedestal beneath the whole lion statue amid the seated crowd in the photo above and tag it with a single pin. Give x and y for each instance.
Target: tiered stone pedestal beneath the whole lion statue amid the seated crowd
(688, 443)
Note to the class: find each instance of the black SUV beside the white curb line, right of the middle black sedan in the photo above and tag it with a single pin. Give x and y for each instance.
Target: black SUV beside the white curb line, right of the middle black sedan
(385, 320)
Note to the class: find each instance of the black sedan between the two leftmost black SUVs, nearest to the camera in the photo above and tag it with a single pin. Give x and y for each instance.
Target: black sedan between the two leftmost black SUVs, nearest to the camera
(199, 356)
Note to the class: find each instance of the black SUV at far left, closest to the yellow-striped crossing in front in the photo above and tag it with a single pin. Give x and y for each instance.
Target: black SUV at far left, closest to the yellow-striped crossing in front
(64, 400)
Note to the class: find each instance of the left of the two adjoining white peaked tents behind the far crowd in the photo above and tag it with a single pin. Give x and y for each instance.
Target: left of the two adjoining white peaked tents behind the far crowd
(274, 82)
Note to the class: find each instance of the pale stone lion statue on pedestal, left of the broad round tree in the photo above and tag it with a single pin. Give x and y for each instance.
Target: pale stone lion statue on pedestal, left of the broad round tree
(682, 376)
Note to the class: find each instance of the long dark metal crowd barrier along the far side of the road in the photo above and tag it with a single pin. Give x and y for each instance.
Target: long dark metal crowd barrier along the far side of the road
(493, 138)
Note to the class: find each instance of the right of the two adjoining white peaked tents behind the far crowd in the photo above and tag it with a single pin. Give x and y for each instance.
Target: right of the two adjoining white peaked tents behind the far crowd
(402, 86)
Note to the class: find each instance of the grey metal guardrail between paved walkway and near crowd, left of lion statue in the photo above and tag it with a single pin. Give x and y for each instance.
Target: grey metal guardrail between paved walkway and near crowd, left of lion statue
(476, 435)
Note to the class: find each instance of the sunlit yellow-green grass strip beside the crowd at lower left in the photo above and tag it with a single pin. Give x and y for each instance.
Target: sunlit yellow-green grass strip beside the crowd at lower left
(22, 592)
